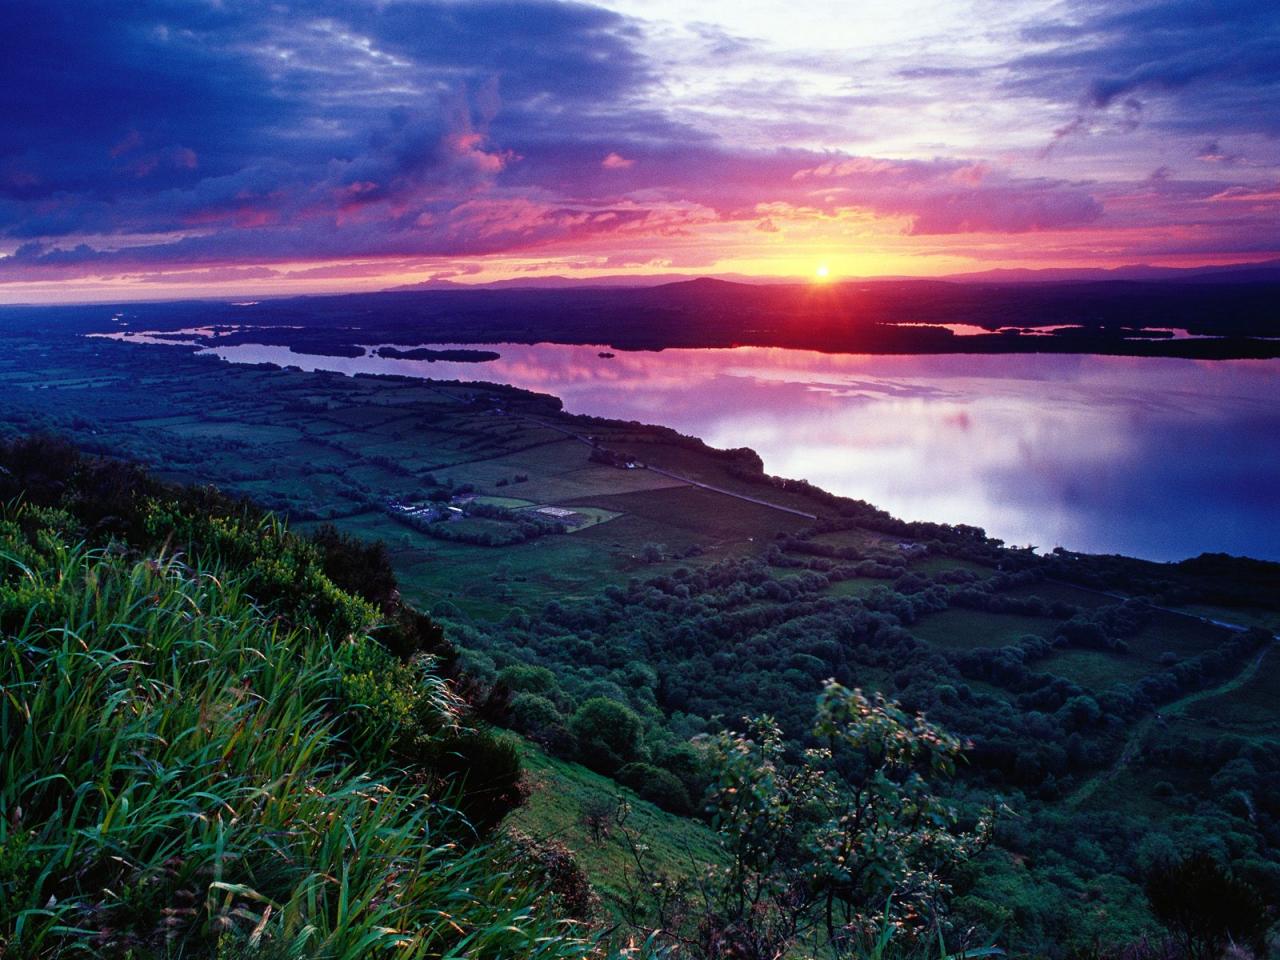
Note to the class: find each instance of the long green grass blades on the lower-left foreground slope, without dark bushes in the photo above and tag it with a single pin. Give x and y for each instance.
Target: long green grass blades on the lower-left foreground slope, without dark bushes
(179, 780)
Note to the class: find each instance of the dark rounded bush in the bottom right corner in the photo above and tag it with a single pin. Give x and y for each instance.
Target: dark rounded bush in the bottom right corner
(1205, 907)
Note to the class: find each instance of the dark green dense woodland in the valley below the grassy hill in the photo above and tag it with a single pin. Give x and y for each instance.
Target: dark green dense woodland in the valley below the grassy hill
(625, 682)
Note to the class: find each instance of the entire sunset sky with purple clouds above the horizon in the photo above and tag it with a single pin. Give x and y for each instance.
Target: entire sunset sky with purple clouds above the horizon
(213, 148)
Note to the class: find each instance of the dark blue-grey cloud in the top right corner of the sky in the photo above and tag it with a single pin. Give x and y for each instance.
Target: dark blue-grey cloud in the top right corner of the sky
(1218, 63)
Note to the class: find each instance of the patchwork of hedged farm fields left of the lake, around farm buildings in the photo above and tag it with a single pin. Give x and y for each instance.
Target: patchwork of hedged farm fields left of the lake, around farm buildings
(324, 447)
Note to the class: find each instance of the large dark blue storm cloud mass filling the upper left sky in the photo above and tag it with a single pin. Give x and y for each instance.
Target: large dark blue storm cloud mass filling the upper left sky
(153, 116)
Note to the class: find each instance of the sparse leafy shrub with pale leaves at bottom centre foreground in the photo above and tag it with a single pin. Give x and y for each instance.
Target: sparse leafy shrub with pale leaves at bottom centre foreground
(833, 849)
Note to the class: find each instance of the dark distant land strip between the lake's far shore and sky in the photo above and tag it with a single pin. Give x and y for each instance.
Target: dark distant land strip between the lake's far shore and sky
(1190, 318)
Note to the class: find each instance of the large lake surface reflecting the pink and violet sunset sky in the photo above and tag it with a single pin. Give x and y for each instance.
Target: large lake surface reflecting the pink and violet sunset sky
(1160, 459)
